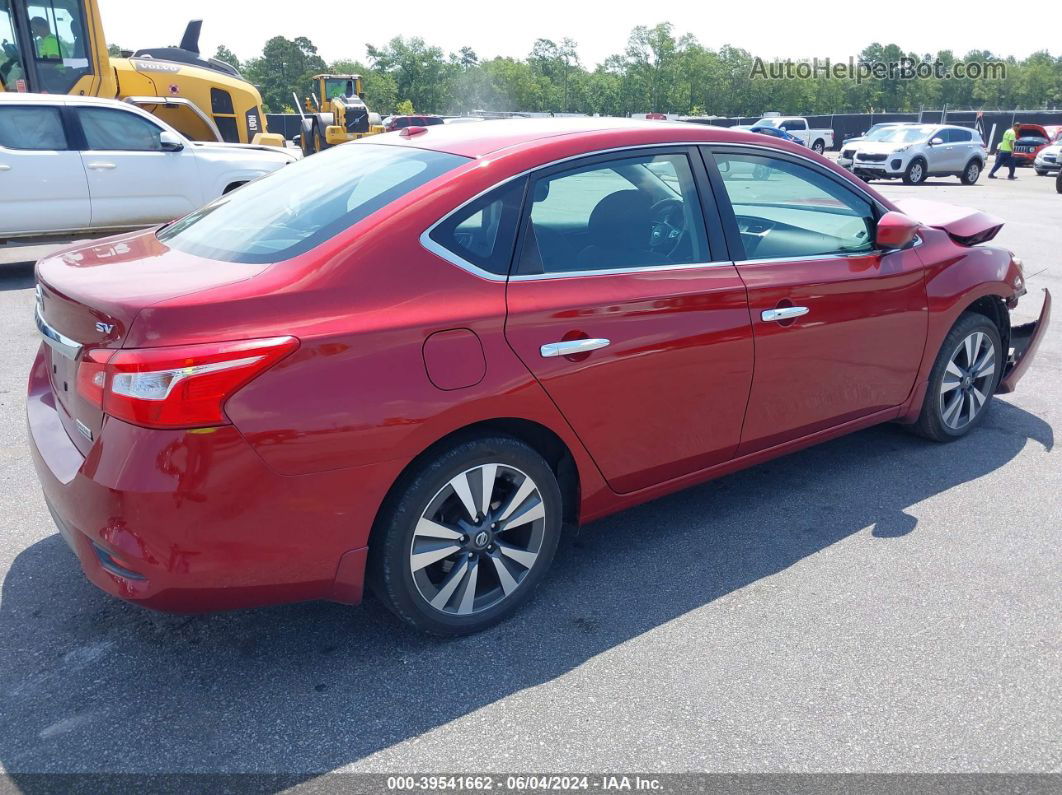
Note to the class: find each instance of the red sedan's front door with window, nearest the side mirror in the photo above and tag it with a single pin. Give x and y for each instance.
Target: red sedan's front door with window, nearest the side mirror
(840, 326)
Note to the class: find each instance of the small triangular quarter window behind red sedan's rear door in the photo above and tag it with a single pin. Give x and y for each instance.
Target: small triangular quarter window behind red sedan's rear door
(484, 232)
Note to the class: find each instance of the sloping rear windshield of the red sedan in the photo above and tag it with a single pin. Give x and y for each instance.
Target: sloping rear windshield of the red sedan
(302, 205)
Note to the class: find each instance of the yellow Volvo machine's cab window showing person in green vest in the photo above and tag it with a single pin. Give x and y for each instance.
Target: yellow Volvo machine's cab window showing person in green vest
(60, 46)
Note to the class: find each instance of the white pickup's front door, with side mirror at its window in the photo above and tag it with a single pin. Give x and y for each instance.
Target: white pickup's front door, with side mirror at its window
(132, 180)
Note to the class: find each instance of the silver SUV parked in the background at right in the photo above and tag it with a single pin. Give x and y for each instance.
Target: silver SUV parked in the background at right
(914, 152)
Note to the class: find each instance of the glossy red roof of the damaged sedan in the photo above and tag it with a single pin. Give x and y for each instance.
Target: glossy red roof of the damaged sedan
(488, 137)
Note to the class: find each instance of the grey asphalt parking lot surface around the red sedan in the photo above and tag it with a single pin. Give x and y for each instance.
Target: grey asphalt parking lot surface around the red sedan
(877, 604)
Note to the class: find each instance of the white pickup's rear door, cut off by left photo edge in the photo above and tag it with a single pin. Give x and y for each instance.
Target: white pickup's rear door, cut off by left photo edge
(43, 185)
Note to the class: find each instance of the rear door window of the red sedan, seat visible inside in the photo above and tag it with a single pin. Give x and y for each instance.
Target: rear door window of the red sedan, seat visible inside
(628, 213)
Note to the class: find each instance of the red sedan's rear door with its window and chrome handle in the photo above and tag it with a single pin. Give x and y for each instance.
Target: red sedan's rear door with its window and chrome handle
(637, 330)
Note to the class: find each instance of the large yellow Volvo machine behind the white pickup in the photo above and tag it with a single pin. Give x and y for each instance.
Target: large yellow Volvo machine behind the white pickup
(59, 47)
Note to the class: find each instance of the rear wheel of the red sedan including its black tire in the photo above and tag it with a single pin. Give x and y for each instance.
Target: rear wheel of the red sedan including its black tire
(398, 540)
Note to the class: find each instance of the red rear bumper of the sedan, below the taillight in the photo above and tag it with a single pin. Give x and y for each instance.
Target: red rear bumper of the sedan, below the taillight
(194, 521)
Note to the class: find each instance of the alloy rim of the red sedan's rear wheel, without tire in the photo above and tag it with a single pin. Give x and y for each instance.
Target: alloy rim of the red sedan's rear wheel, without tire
(478, 540)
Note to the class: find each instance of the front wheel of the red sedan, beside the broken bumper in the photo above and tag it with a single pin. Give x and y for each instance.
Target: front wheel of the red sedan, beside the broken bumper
(964, 379)
